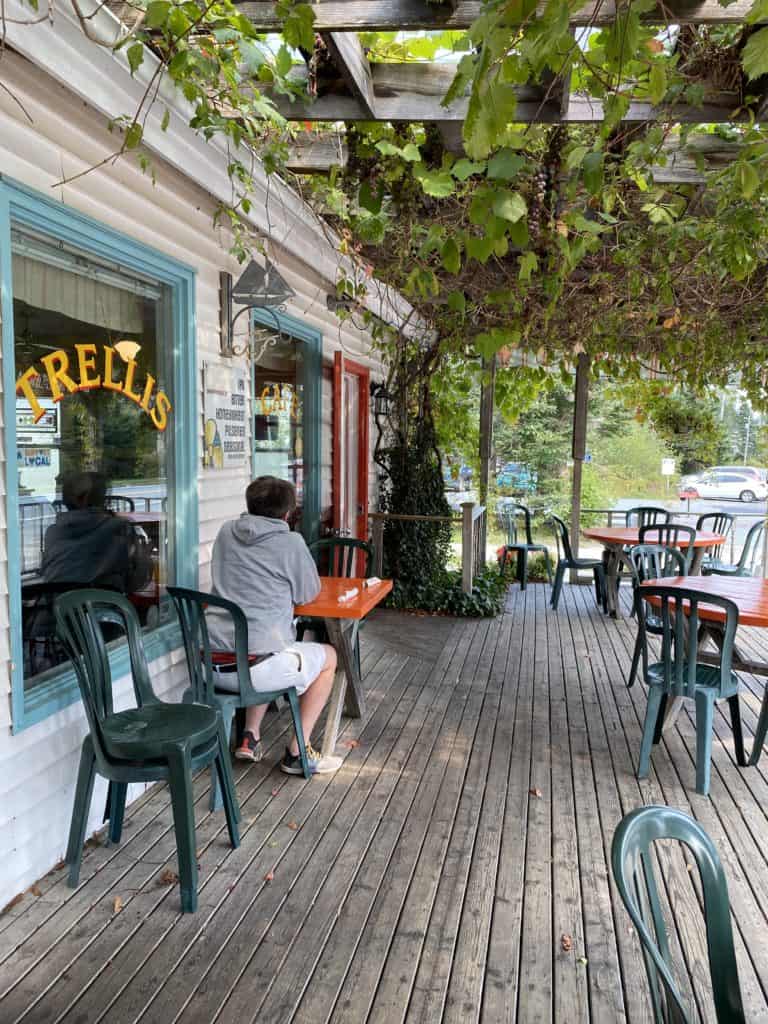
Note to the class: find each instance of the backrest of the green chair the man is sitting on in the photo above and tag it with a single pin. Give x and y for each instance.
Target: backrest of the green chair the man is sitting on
(191, 608)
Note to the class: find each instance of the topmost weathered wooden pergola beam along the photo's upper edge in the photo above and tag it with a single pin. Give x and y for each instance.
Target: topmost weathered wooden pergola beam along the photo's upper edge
(394, 16)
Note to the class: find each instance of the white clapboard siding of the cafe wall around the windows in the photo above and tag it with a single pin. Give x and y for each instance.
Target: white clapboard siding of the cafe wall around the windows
(38, 766)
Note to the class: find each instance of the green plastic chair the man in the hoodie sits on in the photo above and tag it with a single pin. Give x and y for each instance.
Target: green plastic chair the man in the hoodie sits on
(191, 607)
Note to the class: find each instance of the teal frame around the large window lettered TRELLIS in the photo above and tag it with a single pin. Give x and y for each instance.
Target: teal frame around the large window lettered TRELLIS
(23, 206)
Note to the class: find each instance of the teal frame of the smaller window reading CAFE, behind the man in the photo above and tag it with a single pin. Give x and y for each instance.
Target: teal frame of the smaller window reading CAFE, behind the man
(313, 342)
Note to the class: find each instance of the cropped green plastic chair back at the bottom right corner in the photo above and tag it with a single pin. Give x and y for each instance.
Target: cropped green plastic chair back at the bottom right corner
(632, 863)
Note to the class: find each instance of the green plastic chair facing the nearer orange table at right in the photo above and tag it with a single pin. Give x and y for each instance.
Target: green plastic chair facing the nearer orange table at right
(678, 675)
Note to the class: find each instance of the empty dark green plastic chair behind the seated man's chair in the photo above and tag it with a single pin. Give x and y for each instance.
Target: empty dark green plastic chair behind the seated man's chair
(155, 741)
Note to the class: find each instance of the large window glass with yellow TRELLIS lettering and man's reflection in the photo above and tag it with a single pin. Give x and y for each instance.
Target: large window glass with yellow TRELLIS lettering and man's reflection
(94, 406)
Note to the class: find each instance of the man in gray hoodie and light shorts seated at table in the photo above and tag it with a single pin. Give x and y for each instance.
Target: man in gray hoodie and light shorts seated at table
(261, 565)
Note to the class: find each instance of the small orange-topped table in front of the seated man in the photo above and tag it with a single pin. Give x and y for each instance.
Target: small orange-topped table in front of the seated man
(339, 617)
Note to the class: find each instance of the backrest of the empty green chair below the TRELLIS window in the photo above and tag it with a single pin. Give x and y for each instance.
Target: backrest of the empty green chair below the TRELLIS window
(80, 615)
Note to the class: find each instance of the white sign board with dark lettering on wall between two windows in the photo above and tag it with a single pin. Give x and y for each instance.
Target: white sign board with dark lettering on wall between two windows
(226, 403)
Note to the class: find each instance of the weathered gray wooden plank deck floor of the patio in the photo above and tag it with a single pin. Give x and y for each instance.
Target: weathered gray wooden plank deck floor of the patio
(454, 870)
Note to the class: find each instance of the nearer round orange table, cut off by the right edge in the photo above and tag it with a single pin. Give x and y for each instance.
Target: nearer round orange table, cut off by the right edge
(750, 594)
